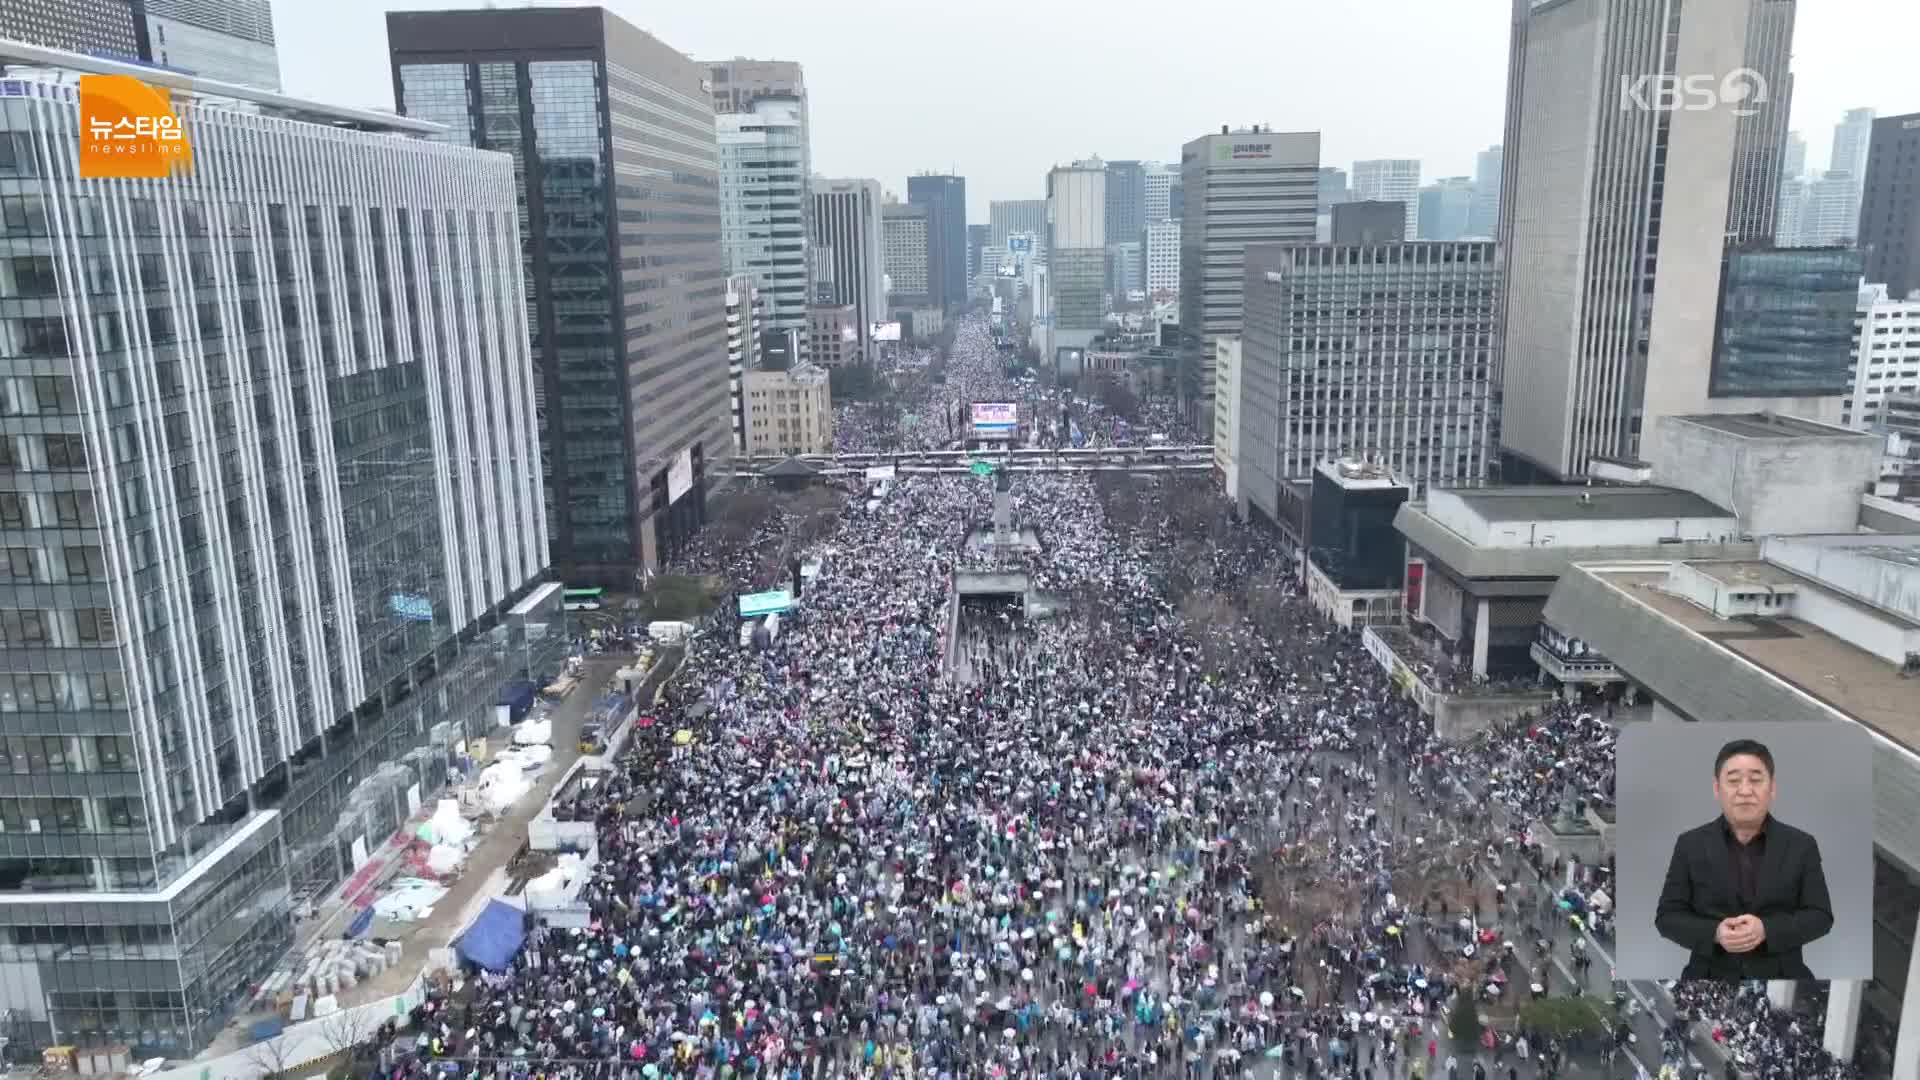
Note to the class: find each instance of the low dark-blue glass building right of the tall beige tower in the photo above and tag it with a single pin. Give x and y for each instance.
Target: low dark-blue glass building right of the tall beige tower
(1787, 324)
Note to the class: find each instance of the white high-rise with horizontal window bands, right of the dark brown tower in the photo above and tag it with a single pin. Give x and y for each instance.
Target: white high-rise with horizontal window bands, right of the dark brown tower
(767, 207)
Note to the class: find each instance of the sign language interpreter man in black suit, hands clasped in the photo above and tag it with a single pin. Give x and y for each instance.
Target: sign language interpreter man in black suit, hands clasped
(1746, 891)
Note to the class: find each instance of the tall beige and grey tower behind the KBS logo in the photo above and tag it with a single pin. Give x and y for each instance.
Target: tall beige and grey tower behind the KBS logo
(1612, 333)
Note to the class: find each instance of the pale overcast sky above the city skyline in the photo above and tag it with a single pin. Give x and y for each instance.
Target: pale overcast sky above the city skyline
(1001, 89)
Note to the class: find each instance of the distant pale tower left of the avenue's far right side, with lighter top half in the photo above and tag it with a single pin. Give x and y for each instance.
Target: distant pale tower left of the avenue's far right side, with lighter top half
(1076, 210)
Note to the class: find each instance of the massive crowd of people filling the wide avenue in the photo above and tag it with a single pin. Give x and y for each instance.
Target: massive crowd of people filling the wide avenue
(917, 837)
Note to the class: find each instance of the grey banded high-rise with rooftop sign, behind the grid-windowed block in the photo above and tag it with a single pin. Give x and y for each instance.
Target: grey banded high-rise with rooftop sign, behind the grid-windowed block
(1249, 187)
